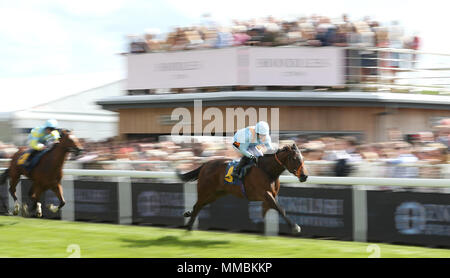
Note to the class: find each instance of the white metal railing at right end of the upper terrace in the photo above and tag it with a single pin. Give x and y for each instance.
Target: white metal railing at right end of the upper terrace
(397, 70)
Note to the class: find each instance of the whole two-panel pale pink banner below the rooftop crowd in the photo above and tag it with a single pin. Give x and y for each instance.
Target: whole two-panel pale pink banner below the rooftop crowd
(253, 66)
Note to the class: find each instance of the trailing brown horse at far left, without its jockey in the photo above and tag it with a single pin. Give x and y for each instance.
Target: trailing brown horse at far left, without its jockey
(47, 174)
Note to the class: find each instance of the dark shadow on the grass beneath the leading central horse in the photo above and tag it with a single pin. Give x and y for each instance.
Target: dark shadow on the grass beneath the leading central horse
(172, 241)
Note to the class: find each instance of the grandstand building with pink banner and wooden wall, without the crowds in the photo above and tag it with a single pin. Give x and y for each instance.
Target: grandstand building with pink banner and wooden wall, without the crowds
(311, 87)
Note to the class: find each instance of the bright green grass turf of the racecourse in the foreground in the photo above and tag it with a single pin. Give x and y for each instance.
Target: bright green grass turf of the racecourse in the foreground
(38, 238)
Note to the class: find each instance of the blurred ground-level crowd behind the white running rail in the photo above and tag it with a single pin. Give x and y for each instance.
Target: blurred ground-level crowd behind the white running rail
(420, 155)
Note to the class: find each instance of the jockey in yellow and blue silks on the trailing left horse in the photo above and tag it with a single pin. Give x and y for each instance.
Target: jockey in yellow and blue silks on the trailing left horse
(41, 138)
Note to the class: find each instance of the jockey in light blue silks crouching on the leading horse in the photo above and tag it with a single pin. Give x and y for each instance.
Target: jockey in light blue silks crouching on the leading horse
(248, 141)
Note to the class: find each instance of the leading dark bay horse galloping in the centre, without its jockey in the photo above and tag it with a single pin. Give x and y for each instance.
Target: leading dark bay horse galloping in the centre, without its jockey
(261, 183)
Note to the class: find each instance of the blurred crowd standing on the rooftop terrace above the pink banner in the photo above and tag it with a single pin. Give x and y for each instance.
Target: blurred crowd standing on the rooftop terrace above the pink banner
(314, 30)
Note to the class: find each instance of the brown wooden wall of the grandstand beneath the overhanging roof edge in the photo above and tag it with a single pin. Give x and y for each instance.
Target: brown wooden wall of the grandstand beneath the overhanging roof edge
(294, 118)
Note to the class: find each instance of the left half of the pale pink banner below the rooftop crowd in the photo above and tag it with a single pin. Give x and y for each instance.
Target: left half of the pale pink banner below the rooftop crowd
(196, 68)
